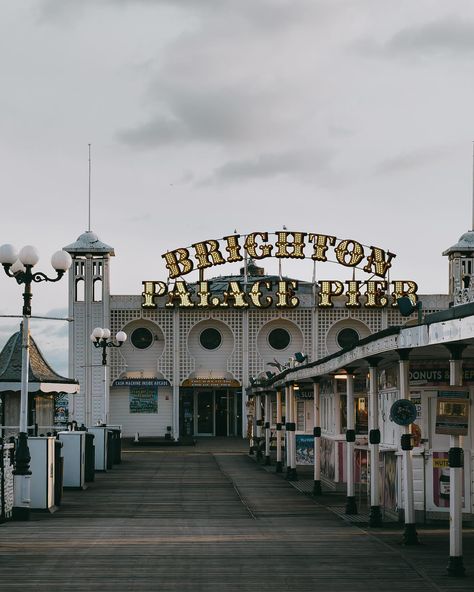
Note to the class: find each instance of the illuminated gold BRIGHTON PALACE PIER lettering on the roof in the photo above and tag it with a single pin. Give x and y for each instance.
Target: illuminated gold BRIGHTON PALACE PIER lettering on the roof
(282, 293)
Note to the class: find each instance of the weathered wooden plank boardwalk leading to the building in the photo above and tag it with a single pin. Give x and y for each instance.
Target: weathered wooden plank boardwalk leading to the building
(181, 519)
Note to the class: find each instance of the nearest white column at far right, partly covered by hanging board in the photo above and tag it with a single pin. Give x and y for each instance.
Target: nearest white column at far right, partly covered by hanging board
(456, 564)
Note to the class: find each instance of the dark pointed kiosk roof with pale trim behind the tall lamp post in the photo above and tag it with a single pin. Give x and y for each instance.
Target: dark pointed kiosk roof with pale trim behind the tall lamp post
(41, 377)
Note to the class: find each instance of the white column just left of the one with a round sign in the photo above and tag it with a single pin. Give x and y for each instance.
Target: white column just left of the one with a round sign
(375, 517)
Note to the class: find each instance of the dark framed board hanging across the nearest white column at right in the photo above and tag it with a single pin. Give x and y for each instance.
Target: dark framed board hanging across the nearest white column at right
(452, 412)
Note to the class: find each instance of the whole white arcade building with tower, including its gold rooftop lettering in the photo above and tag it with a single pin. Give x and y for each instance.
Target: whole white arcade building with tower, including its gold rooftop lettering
(195, 348)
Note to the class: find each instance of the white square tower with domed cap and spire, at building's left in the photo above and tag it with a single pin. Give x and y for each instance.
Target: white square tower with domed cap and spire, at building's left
(89, 306)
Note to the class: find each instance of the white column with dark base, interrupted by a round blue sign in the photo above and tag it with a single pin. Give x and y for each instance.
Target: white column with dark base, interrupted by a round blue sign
(410, 536)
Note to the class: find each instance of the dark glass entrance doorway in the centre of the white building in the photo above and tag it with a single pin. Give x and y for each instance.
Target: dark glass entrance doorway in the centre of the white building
(211, 412)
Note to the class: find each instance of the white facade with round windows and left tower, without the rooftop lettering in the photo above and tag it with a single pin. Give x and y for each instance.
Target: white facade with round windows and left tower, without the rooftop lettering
(199, 388)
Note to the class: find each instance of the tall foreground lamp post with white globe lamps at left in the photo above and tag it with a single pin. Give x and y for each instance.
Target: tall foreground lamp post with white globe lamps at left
(20, 266)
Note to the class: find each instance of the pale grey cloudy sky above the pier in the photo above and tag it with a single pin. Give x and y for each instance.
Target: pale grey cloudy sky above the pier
(345, 117)
